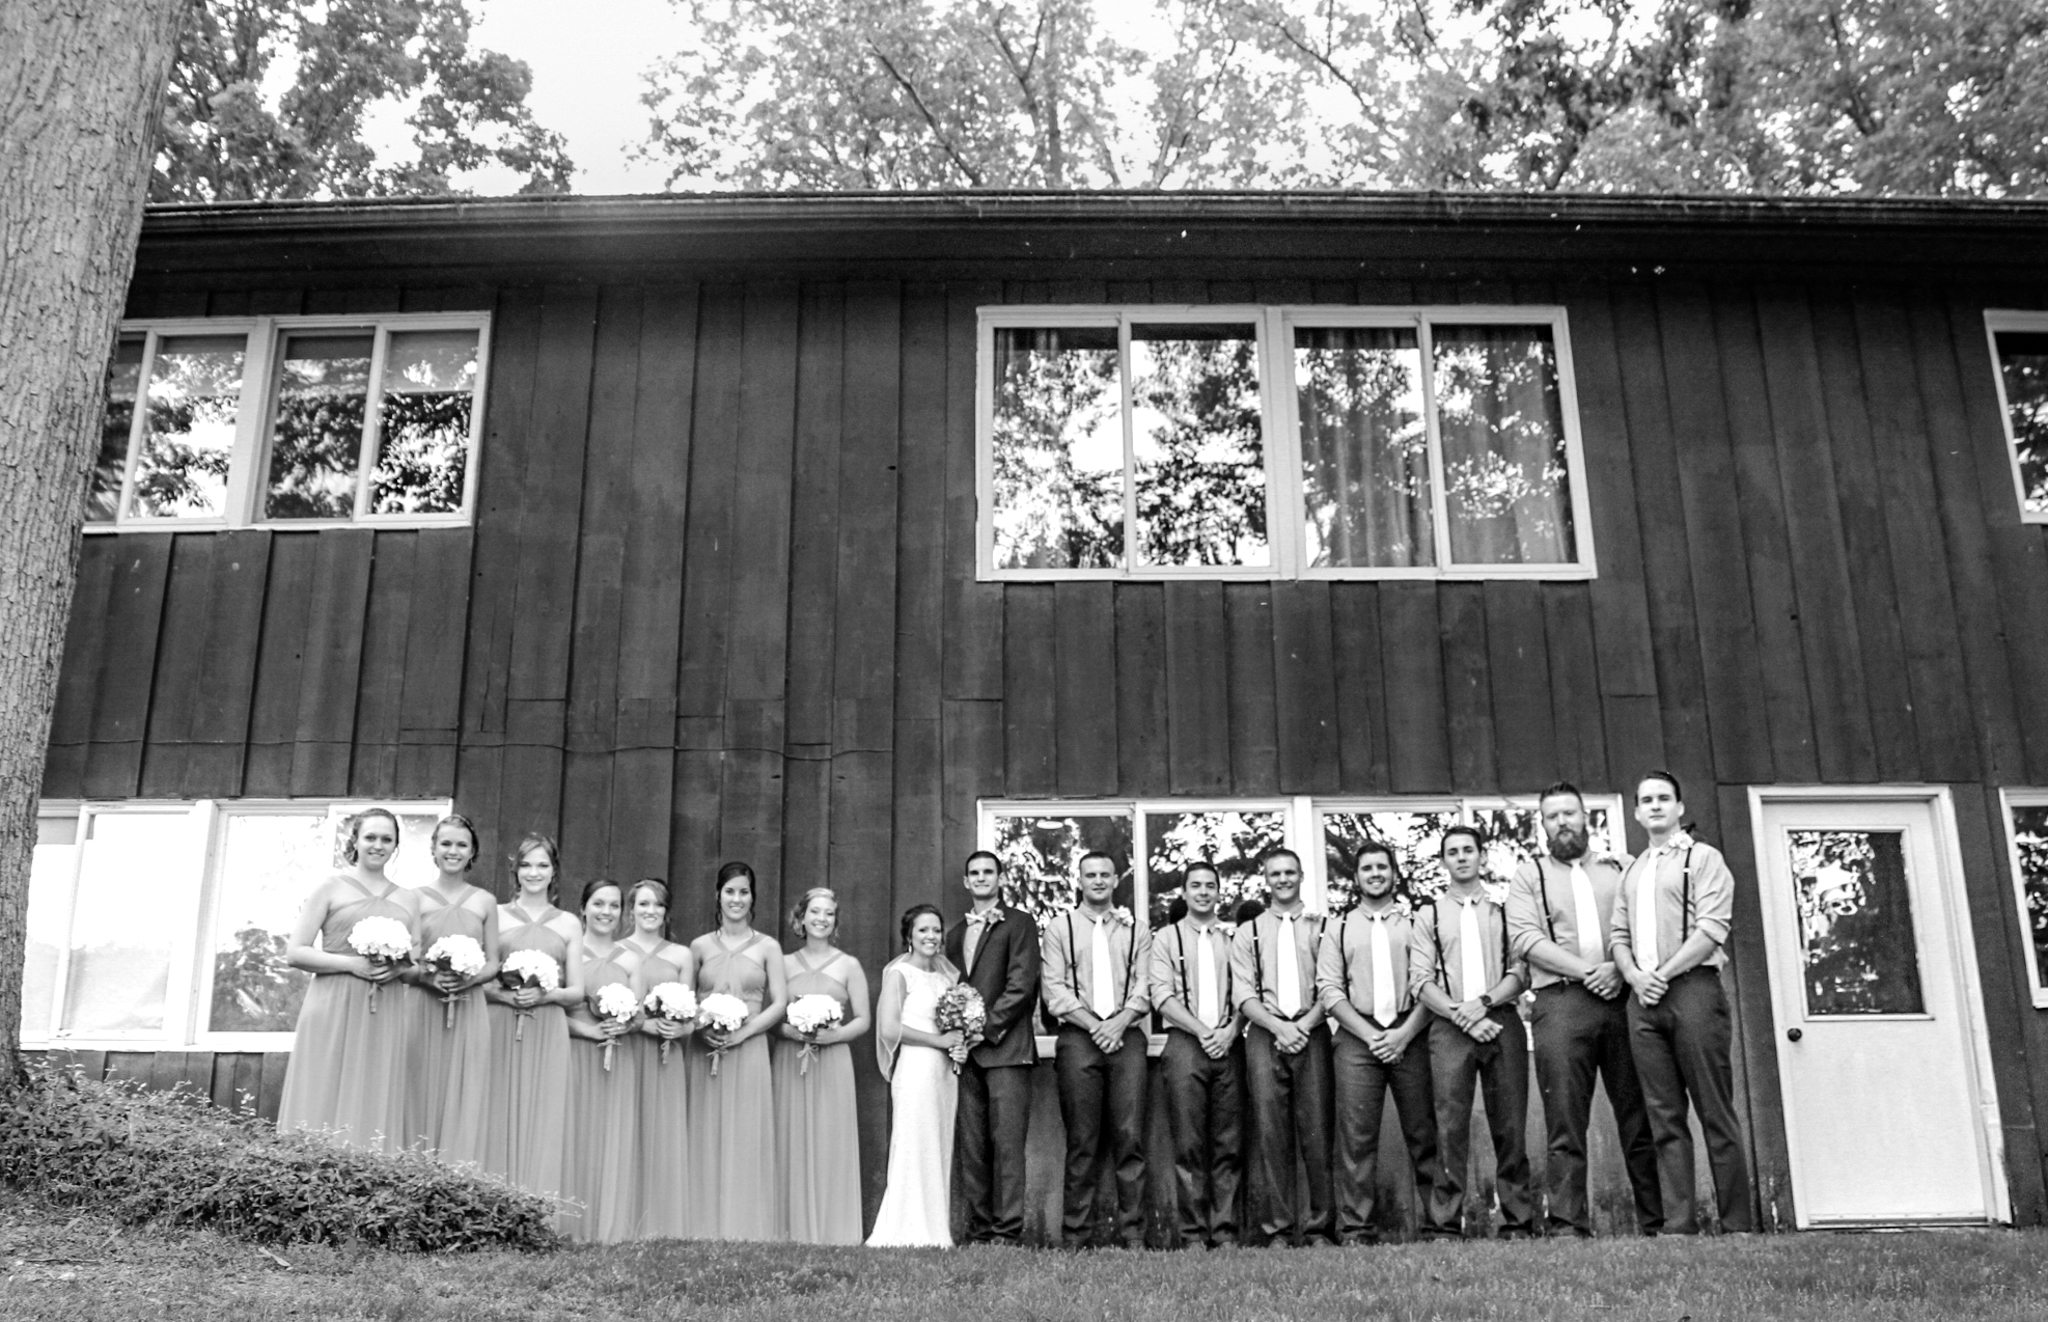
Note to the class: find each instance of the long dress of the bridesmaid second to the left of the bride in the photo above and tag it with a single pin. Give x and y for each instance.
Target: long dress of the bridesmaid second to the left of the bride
(732, 1112)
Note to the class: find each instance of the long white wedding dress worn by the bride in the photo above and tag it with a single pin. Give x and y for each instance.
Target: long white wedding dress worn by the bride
(923, 1092)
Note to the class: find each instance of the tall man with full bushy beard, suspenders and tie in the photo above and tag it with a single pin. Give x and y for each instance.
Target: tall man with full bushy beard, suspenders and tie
(1560, 912)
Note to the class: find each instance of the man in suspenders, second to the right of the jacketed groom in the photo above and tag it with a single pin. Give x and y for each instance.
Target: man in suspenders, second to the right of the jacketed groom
(1191, 983)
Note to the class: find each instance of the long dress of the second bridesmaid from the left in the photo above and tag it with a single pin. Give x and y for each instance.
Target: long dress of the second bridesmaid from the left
(452, 1063)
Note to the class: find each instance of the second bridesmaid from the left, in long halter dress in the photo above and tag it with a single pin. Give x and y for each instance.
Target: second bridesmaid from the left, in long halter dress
(452, 1055)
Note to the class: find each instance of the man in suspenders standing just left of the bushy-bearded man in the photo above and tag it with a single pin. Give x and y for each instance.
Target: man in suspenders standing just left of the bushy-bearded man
(1461, 969)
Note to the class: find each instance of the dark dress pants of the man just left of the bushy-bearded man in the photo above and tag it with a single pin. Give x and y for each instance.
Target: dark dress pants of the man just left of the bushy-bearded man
(1502, 1071)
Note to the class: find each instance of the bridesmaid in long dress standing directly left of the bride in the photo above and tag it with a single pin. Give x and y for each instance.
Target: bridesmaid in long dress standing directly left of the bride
(816, 1118)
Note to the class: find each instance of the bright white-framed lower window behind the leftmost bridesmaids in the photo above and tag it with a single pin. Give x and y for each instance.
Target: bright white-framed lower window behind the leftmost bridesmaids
(165, 924)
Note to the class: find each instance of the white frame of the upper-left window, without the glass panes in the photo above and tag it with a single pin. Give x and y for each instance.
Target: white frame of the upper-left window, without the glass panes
(249, 466)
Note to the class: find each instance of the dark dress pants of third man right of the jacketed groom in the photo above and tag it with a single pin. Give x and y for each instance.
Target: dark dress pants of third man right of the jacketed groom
(1291, 1104)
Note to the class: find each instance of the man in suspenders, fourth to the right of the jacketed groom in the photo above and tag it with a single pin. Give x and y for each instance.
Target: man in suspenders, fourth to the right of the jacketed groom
(1363, 981)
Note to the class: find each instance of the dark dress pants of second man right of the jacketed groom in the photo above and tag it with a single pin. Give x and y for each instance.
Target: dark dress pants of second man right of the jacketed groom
(1203, 1104)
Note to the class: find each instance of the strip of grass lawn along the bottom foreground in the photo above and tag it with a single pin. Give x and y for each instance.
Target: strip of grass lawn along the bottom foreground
(85, 1268)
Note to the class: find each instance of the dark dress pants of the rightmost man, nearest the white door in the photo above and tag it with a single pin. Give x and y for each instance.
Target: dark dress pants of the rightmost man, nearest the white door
(1682, 1051)
